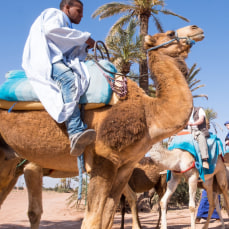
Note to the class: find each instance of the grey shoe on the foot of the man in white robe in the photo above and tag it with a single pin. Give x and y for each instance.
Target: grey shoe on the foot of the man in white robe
(80, 140)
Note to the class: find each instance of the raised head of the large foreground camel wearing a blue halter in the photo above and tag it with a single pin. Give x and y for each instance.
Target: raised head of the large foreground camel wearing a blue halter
(174, 43)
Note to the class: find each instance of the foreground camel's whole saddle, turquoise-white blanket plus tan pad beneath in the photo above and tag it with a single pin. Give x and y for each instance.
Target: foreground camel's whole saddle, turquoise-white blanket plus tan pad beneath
(17, 92)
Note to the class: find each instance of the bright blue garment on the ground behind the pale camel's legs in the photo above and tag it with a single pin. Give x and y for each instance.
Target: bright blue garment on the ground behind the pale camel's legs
(204, 206)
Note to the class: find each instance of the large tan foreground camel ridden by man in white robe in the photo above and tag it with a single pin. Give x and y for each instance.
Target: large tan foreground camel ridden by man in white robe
(125, 131)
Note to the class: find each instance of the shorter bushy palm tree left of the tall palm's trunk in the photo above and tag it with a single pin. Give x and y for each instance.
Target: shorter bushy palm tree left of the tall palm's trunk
(124, 47)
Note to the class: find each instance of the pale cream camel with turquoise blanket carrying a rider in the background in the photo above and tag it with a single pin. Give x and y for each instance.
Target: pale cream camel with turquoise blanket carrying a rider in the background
(181, 160)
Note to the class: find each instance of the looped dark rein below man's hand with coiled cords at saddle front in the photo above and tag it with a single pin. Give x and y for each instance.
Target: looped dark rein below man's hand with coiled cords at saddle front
(119, 86)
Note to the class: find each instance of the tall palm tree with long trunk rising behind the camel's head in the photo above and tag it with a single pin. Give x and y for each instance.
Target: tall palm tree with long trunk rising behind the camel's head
(142, 10)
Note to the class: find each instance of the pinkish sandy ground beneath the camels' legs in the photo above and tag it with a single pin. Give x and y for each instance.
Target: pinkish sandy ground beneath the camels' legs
(57, 215)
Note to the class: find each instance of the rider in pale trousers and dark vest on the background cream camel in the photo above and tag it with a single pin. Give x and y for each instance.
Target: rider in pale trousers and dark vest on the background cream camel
(199, 129)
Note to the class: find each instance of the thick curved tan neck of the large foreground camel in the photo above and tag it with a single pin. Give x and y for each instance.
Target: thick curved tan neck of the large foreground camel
(173, 103)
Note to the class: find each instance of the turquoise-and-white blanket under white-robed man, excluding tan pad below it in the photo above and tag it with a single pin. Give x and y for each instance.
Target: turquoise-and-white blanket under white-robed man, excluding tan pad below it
(17, 86)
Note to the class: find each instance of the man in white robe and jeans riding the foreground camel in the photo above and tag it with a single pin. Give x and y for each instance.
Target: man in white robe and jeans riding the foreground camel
(53, 61)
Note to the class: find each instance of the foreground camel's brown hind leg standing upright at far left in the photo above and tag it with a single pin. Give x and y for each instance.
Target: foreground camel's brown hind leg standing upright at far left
(33, 177)
